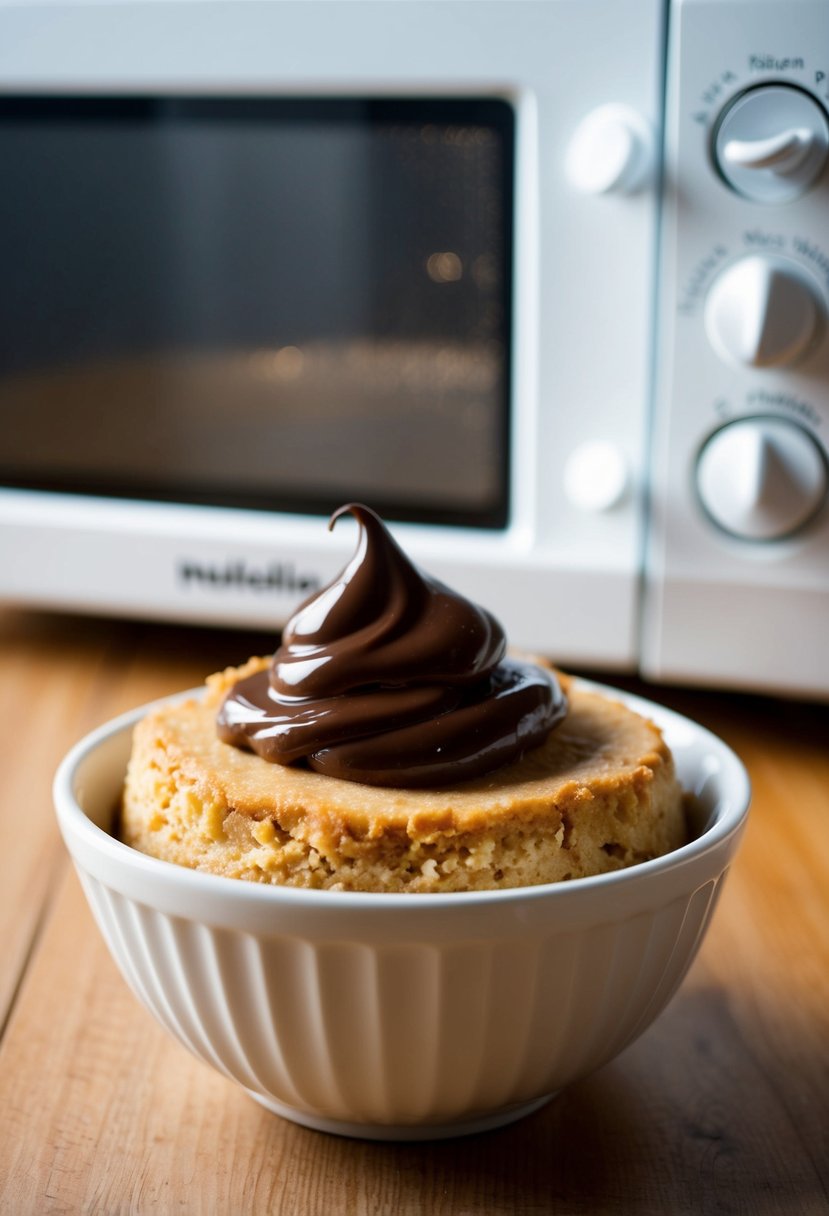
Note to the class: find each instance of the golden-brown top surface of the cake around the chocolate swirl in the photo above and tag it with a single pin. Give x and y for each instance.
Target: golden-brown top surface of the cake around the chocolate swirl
(600, 748)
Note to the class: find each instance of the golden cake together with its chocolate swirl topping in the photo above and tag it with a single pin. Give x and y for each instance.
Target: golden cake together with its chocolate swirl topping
(393, 745)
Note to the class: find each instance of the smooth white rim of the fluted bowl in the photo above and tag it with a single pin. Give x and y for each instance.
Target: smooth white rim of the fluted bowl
(76, 825)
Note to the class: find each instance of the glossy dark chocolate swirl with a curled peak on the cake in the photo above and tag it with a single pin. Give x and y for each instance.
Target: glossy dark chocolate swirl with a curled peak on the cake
(388, 678)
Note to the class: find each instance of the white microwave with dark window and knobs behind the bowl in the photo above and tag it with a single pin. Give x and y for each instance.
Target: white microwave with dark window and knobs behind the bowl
(545, 284)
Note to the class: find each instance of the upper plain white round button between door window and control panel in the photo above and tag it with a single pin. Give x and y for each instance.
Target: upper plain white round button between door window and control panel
(611, 153)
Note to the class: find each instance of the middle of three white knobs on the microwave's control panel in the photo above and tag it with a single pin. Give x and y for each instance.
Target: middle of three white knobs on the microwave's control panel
(762, 313)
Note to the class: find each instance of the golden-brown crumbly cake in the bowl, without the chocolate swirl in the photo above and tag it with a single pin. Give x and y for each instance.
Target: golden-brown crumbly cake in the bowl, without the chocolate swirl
(601, 793)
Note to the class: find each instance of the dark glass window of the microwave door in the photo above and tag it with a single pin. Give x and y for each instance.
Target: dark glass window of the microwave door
(260, 303)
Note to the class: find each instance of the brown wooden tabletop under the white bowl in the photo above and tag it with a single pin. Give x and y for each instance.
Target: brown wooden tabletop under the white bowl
(721, 1107)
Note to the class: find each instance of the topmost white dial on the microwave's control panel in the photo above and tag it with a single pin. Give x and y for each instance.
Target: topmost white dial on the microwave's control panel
(771, 144)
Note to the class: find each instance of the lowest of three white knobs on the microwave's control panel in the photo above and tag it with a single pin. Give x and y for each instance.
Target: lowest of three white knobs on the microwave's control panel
(762, 478)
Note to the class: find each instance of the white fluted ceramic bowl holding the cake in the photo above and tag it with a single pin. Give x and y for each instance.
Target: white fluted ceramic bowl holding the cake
(403, 1017)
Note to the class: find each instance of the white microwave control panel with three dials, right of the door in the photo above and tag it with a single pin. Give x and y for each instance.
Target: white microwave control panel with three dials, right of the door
(738, 566)
